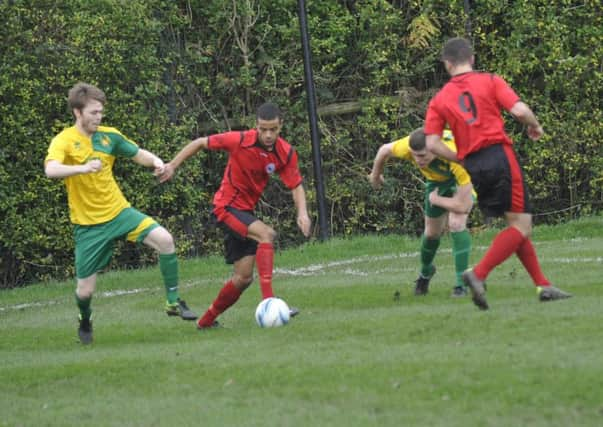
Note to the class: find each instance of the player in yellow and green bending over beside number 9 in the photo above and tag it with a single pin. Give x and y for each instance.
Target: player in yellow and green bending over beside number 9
(448, 198)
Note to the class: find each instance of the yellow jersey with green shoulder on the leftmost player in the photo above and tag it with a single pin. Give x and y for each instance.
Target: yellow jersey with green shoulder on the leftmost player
(94, 198)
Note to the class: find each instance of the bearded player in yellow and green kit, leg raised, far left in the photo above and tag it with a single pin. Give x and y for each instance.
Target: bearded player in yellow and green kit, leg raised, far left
(83, 156)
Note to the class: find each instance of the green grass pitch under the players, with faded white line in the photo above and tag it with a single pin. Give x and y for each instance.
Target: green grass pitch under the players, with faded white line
(353, 357)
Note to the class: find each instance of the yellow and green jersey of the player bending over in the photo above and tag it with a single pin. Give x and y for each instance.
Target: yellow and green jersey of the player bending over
(439, 170)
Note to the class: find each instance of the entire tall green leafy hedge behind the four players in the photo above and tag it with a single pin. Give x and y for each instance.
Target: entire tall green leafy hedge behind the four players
(175, 70)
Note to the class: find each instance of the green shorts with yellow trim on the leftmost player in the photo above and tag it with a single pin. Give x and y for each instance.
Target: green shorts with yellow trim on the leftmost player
(94, 243)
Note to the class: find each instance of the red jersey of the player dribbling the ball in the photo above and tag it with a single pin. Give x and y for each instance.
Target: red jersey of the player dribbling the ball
(250, 166)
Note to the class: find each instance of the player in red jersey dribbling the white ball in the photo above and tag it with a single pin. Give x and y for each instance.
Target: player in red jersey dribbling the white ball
(254, 155)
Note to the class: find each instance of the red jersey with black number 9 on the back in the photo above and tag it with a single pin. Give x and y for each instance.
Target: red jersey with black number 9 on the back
(471, 104)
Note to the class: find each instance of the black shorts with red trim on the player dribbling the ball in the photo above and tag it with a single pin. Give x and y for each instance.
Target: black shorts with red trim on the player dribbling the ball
(234, 223)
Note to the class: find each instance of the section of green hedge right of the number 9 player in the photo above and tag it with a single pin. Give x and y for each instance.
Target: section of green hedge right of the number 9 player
(552, 54)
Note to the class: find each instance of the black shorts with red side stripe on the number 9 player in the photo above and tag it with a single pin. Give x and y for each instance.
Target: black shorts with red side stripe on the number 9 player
(498, 180)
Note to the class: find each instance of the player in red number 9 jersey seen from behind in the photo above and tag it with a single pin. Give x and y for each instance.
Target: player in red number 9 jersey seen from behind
(471, 104)
